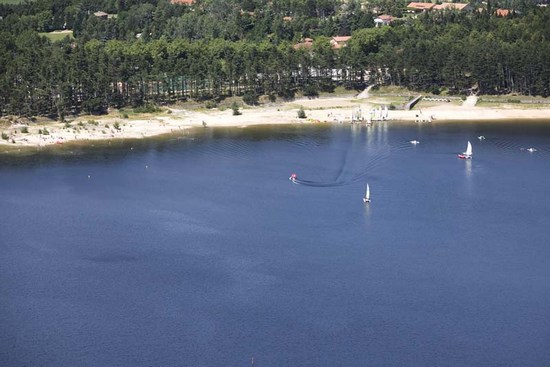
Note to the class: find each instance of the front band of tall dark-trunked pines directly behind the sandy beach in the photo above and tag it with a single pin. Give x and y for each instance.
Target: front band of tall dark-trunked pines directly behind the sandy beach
(436, 51)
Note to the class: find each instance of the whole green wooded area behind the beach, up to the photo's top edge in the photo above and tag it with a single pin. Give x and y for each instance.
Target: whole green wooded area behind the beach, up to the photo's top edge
(134, 53)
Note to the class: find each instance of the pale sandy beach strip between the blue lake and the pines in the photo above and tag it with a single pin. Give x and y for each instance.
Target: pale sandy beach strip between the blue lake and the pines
(329, 110)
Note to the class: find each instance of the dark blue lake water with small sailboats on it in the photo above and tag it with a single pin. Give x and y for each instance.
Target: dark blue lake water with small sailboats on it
(197, 250)
